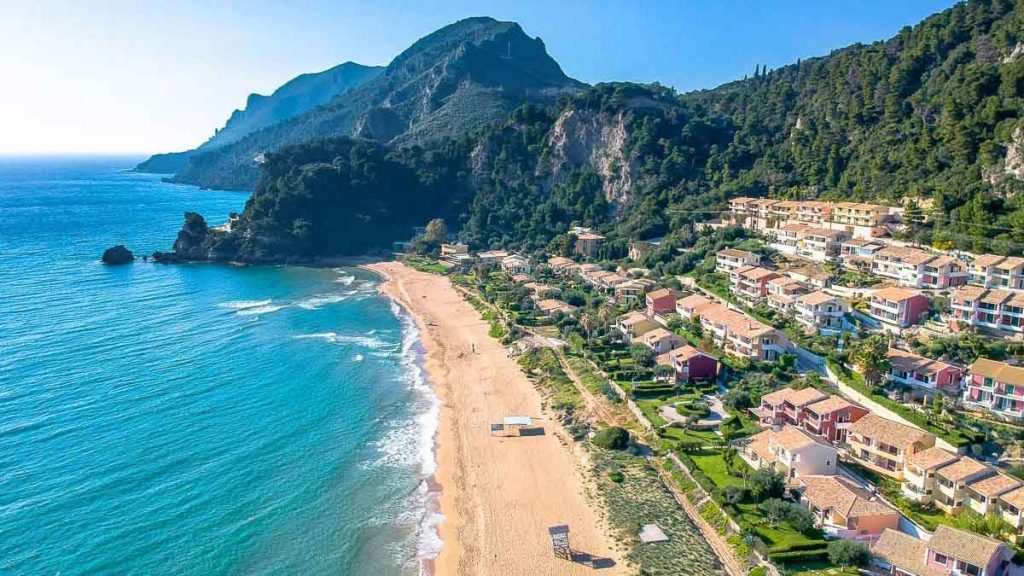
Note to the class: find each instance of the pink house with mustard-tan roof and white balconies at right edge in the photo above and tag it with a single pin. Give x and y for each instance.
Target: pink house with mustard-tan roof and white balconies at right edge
(996, 387)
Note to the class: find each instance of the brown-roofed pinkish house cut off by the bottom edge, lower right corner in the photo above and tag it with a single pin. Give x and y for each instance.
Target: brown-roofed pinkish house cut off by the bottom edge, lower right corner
(950, 552)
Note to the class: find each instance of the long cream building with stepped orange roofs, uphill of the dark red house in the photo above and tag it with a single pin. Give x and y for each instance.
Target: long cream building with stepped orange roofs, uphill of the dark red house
(736, 333)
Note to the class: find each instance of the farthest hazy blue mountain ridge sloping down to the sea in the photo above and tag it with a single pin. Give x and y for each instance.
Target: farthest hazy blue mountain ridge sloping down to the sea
(300, 95)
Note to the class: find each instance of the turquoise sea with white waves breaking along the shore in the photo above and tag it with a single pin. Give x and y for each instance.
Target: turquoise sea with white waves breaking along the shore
(195, 420)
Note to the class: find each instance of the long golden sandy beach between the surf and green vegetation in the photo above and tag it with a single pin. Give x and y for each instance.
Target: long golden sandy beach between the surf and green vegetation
(499, 496)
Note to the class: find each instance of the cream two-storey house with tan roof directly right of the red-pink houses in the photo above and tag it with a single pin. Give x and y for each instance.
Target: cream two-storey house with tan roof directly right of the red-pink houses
(883, 445)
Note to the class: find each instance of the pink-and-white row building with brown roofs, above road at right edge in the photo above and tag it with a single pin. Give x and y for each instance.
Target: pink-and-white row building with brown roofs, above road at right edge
(994, 311)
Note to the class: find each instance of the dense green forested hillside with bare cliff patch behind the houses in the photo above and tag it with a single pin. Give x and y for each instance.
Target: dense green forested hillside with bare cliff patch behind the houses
(933, 113)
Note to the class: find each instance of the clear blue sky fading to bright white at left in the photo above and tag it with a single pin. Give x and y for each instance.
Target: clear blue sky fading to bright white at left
(105, 77)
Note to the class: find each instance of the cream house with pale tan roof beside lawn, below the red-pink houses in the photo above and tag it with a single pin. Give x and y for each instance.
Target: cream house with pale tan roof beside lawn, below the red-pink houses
(792, 451)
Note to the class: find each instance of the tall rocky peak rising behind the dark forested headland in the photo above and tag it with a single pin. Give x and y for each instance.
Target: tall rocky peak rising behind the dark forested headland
(455, 81)
